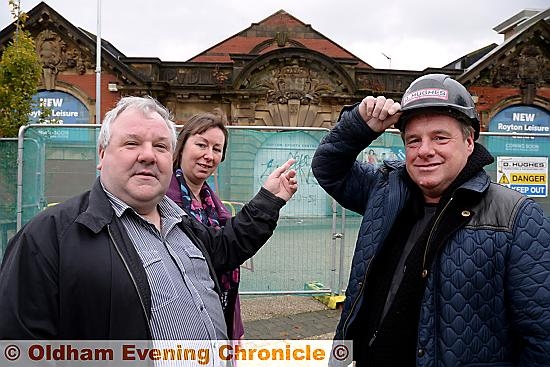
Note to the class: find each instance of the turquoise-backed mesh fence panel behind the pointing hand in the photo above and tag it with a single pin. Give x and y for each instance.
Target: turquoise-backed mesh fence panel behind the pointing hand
(301, 249)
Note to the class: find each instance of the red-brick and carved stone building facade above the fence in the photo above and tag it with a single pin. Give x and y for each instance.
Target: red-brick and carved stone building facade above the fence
(280, 72)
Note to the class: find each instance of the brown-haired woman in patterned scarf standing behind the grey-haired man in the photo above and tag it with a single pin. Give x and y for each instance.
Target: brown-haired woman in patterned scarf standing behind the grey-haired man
(199, 150)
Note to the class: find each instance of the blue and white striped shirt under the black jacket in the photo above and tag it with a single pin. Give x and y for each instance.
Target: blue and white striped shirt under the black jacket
(184, 304)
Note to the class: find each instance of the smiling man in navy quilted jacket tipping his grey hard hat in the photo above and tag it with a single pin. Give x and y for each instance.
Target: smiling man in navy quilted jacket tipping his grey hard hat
(449, 268)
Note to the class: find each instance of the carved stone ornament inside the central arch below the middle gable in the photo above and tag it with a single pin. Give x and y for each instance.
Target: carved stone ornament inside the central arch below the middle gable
(293, 82)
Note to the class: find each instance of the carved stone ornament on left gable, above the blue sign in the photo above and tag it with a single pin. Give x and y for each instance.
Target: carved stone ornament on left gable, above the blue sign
(55, 57)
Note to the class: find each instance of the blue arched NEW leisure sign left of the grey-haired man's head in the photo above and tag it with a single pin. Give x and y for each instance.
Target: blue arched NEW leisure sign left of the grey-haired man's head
(64, 109)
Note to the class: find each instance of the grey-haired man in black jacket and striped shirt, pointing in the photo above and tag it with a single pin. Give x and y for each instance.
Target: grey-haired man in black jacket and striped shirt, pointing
(122, 261)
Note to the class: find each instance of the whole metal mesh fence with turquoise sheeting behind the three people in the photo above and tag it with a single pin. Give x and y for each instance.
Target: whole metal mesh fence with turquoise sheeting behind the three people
(313, 243)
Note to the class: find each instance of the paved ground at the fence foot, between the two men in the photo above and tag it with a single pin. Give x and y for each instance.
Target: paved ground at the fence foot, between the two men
(288, 317)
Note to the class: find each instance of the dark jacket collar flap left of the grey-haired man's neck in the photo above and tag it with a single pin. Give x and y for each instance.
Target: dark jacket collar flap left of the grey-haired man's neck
(99, 212)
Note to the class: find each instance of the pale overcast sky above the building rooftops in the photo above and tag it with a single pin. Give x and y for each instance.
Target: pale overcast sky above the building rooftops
(396, 34)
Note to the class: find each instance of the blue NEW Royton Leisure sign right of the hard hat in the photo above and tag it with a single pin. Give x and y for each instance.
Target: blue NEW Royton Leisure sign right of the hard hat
(525, 120)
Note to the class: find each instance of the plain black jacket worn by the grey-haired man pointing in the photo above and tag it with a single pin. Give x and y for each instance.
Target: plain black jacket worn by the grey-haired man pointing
(73, 273)
